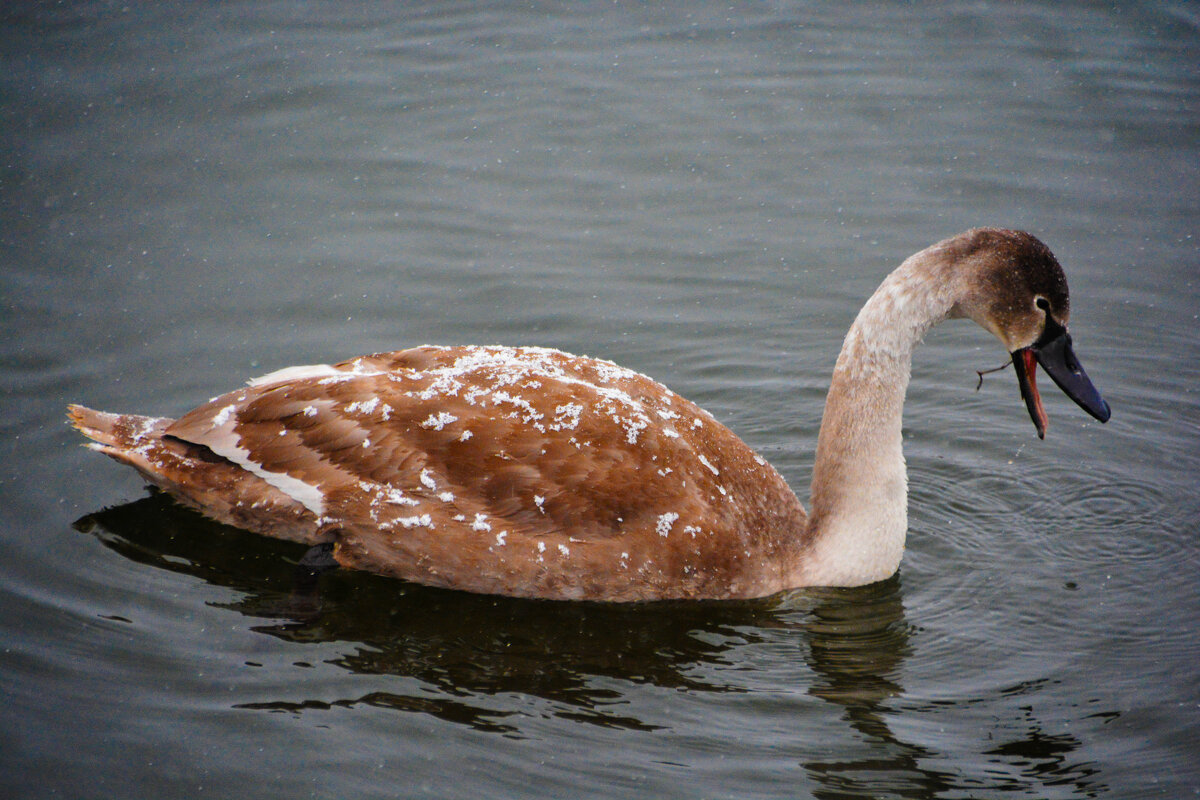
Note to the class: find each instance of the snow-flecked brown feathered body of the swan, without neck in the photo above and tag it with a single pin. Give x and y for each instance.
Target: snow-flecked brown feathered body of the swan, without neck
(507, 471)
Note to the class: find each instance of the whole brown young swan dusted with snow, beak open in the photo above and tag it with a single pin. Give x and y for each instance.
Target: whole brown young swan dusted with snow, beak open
(529, 472)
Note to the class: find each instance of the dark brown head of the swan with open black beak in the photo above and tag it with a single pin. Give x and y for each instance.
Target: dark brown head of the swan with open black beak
(1017, 290)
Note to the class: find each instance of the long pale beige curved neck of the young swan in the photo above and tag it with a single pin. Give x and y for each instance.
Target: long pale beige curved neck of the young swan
(859, 509)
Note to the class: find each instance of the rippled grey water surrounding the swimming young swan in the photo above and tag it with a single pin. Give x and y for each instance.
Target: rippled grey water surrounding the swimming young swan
(196, 194)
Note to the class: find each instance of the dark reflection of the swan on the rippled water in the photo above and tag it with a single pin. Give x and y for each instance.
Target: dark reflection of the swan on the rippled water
(499, 664)
